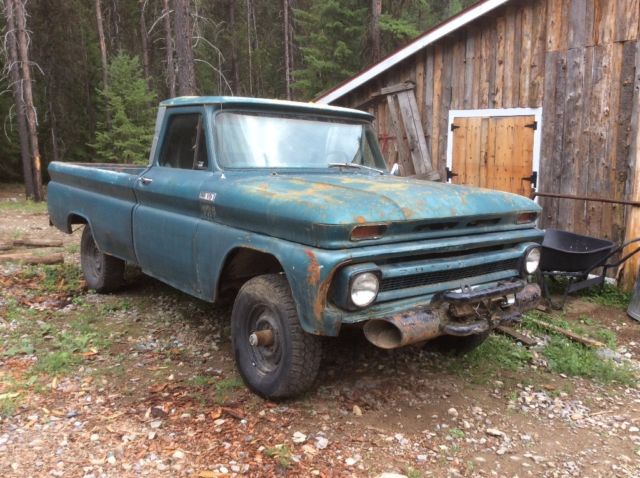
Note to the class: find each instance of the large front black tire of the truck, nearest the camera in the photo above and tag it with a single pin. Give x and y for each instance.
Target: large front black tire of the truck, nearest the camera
(290, 365)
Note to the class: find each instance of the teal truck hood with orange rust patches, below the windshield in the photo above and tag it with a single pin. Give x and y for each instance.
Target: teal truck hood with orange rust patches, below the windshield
(322, 209)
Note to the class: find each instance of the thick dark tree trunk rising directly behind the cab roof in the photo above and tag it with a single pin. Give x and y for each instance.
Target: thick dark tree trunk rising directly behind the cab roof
(184, 51)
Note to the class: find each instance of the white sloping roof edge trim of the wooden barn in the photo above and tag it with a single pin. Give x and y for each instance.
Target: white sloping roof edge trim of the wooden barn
(427, 38)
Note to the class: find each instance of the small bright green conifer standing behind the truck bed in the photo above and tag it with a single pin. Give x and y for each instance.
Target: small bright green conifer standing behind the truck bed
(131, 106)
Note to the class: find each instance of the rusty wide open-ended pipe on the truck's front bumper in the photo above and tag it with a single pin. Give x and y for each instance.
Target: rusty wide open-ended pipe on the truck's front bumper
(403, 329)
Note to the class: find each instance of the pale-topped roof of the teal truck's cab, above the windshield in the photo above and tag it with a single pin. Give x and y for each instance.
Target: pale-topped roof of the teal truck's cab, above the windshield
(272, 104)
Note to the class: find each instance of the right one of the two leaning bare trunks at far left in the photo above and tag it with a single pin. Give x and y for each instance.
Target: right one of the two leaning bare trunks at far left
(32, 121)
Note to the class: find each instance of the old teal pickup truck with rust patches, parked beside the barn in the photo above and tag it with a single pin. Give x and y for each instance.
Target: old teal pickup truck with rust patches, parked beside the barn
(288, 209)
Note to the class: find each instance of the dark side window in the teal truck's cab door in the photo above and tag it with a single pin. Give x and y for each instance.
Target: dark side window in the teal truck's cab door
(184, 144)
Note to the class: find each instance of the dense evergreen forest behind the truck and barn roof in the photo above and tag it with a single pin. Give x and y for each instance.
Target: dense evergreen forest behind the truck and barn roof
(81, 79)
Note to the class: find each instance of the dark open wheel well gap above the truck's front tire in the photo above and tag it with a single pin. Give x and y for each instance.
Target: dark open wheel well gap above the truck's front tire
(242, 265)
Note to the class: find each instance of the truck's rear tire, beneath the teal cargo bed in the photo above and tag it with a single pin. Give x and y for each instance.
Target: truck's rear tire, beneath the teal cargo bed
(102, 272)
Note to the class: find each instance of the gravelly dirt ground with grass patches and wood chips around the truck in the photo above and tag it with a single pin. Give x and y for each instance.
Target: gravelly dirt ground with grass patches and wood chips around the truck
(149, 389)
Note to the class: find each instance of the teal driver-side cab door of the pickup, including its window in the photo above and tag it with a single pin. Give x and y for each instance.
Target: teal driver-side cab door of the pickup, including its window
(166, 218)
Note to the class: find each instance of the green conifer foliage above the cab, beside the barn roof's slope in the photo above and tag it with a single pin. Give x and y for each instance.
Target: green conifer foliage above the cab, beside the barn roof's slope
(331, 44)
